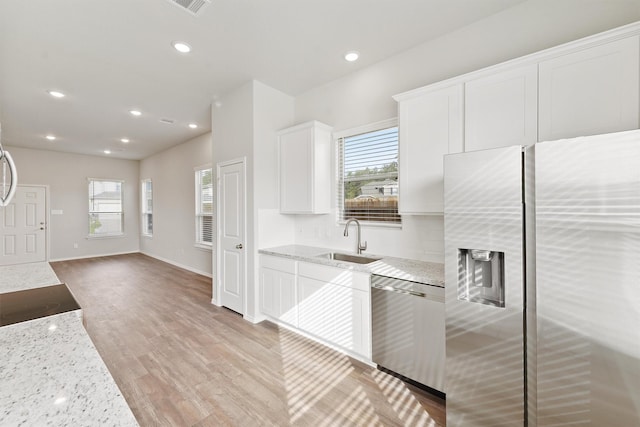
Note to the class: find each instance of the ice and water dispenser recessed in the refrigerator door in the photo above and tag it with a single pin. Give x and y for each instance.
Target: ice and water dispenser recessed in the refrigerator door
(481, 276)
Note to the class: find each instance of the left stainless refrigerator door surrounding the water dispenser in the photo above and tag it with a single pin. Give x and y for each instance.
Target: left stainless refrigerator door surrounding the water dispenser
(485, 344)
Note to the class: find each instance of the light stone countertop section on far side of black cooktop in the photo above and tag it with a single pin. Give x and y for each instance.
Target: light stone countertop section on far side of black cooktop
(26, 276)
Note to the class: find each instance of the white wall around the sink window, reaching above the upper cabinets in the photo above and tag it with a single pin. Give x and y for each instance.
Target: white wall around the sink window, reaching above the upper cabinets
(366, 96)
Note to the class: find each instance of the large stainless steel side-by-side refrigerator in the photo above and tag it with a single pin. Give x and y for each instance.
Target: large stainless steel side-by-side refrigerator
(542, 272)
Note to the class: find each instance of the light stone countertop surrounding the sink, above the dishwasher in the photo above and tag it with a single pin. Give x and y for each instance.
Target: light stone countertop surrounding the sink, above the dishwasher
(431, 273)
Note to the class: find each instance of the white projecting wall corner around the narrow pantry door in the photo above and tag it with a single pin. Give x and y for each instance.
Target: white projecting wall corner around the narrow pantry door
(244, 125)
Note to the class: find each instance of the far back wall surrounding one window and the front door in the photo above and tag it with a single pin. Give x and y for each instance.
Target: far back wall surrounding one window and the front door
(66, 175)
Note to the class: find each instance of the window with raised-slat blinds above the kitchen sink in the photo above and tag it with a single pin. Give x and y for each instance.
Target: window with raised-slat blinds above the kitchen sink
(368, 174)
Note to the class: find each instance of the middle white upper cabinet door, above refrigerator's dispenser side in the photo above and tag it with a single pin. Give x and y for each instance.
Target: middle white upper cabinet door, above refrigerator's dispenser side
(502, 109)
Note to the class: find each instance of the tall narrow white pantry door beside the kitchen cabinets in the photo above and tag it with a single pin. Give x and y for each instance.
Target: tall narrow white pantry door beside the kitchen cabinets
(231, 235)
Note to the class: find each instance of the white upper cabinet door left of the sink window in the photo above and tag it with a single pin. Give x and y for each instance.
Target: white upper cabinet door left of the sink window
(296, 171)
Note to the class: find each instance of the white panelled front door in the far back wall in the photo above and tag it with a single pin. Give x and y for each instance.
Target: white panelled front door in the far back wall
(23, 227)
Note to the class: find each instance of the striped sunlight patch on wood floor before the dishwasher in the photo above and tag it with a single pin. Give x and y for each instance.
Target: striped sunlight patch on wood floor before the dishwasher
(312, 373)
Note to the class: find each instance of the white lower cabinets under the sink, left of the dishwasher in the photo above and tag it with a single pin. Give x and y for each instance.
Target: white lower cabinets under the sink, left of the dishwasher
(328, 303)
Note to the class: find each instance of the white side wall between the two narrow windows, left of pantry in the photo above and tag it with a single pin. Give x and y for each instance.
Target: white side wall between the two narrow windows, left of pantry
(174, 226)
